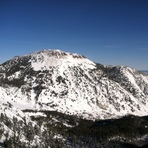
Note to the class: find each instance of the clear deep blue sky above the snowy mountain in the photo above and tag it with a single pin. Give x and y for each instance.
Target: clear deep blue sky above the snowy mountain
(111, 32)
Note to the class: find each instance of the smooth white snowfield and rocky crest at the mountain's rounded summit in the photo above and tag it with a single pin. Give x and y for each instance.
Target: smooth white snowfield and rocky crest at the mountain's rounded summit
(49, 58)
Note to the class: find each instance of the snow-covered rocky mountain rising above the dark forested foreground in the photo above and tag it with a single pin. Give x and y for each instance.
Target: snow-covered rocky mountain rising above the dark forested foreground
(72, 84)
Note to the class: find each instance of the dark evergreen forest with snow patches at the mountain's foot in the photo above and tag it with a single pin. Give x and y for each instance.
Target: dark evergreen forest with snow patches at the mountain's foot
(54, 129)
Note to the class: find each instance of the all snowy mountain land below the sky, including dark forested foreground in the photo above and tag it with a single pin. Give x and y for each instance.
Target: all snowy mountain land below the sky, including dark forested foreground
(56, 99)
